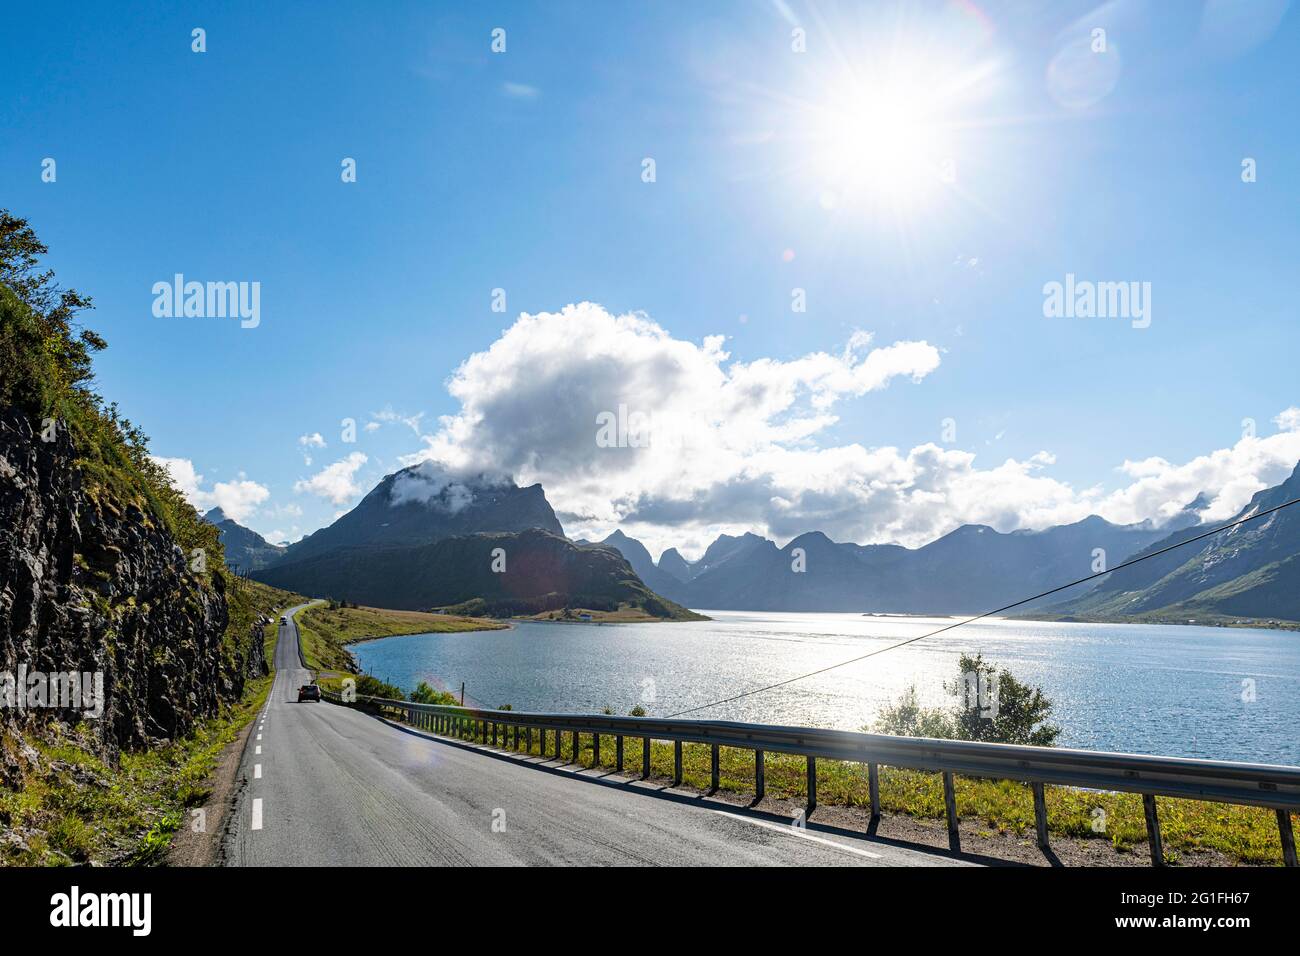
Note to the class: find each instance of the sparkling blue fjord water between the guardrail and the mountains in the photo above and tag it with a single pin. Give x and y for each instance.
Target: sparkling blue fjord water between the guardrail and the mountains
(1142, 689)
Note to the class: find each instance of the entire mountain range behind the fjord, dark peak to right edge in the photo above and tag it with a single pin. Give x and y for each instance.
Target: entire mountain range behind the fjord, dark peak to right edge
(384, 550)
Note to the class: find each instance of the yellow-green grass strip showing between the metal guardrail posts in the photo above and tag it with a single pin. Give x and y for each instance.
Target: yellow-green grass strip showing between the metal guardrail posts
(1243, 834)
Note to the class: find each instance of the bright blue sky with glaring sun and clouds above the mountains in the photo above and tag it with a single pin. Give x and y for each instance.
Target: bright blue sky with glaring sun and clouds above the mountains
(523, 171)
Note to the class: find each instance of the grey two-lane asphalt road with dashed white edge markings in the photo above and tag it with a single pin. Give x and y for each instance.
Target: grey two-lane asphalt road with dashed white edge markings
(323, 785)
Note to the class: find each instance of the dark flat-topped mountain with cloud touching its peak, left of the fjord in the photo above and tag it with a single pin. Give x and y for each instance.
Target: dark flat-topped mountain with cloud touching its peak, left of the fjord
(480, 546)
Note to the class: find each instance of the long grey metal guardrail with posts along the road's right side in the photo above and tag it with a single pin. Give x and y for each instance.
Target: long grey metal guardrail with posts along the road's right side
(1253, 785)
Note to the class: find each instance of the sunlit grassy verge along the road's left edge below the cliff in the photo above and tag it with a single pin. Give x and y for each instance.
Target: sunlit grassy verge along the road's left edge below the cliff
(83, 810)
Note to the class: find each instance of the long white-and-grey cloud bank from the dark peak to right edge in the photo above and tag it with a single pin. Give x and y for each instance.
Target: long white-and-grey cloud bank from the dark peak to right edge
(626, 426)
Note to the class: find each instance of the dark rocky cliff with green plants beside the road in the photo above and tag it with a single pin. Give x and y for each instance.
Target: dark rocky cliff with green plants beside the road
(90, 581)
